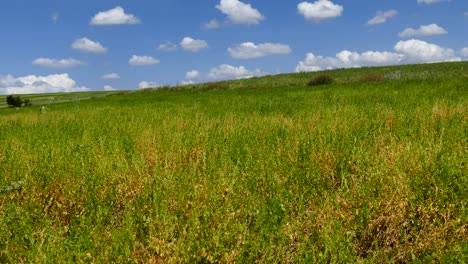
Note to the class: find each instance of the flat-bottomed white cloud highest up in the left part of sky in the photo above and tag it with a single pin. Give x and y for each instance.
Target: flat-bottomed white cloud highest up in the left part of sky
(115, 16)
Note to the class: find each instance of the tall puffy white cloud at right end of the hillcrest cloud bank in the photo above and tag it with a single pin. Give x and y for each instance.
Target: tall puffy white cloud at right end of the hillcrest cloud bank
(416, 51)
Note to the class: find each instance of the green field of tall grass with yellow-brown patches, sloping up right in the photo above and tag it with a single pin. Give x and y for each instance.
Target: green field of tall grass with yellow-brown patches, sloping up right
(370, 169)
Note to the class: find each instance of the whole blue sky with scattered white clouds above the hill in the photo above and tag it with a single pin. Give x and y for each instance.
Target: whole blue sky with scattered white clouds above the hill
(64, 46)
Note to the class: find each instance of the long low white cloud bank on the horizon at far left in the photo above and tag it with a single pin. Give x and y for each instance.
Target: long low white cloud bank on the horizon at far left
(39, 84)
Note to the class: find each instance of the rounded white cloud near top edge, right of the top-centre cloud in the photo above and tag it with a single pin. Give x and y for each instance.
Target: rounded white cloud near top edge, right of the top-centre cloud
(320, 10)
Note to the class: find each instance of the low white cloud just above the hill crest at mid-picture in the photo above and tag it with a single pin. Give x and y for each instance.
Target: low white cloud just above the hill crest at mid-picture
(225, 71)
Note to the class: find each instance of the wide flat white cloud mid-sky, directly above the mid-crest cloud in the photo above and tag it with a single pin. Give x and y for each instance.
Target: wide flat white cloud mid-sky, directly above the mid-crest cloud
(249, 50)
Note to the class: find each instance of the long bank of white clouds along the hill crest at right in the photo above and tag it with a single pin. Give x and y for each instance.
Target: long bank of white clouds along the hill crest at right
(410, 51)
